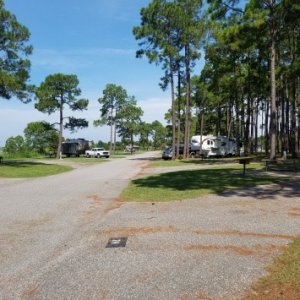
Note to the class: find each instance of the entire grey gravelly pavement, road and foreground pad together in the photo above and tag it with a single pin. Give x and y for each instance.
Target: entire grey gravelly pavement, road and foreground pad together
(54, 232)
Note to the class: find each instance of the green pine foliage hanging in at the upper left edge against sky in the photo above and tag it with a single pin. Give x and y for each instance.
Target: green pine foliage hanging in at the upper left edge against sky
(14, 49)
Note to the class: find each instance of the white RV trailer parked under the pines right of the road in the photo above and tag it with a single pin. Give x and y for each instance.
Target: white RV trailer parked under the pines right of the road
(213, 146)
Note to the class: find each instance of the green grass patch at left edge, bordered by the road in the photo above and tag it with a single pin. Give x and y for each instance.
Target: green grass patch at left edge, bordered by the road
(23, 168)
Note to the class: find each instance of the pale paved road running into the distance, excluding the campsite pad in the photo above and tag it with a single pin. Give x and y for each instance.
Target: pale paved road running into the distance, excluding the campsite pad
(45, 221)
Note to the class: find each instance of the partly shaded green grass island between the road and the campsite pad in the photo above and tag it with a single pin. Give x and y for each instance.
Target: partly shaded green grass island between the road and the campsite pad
(194, 183)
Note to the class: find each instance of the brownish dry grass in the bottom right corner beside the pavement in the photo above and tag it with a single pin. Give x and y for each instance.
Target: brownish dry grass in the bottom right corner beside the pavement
(283, 279)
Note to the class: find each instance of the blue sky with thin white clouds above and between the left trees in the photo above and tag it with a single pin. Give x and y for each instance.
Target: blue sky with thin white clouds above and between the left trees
(92, 39)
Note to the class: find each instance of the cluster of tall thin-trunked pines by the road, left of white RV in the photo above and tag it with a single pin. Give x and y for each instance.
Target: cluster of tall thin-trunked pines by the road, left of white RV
(170, 34)
